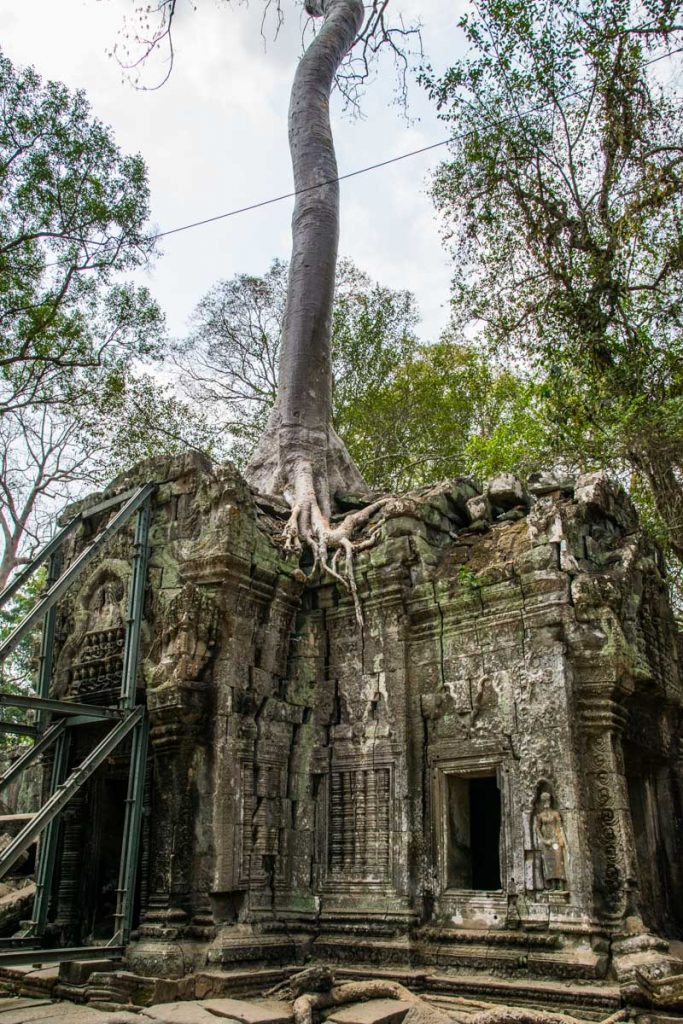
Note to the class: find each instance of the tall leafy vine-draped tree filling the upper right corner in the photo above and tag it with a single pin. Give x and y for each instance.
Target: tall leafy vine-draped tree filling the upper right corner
(565, 201)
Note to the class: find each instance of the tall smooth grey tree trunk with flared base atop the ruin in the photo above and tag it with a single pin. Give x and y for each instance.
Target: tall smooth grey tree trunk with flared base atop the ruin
(300, 455)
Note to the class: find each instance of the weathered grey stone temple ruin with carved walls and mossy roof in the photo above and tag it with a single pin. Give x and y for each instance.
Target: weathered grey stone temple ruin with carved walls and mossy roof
(480, 793)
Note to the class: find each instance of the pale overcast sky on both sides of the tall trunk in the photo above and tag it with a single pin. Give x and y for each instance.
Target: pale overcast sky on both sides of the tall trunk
(215, 139)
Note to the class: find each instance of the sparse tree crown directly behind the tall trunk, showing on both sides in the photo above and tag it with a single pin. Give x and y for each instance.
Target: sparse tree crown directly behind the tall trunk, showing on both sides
(230, 363)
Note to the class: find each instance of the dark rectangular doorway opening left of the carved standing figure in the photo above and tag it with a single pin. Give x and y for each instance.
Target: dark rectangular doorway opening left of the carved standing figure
(474, 849)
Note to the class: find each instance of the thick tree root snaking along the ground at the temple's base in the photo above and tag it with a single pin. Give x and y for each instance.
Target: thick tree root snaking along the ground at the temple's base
(314, 991)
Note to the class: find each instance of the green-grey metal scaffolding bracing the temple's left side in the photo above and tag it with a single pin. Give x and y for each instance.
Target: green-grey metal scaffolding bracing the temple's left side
(57, 719)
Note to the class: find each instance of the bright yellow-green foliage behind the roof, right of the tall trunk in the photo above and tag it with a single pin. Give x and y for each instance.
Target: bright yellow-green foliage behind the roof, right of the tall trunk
(448, 411)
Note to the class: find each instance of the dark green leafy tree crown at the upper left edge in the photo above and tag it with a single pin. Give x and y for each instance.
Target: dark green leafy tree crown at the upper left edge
(72, 220)
